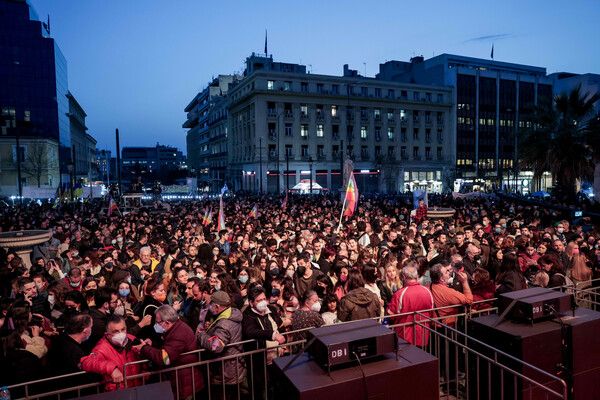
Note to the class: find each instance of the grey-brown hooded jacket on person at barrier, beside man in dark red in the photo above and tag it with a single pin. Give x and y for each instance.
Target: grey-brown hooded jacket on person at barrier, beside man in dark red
(224, 330)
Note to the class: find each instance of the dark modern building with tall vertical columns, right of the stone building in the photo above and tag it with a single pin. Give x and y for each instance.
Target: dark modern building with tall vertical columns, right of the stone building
(490, 104)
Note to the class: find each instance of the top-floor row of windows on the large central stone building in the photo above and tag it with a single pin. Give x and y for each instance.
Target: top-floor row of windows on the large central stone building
(350, 90)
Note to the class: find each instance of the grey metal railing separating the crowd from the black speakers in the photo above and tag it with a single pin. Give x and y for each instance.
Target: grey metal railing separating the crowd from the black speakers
(439, 335)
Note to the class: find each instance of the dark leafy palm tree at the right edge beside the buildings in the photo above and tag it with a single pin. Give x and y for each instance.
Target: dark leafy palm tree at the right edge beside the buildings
(562, 140)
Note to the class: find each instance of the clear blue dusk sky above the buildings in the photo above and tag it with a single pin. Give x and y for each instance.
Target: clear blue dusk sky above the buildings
(135, 65)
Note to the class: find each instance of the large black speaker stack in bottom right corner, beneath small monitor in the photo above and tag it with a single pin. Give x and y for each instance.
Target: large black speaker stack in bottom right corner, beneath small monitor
(539, 345)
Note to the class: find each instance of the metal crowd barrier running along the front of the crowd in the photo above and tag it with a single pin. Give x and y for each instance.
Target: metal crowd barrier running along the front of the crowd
(257, 385)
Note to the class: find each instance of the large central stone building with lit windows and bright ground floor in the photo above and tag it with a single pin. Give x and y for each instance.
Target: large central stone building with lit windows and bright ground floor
(287, 125)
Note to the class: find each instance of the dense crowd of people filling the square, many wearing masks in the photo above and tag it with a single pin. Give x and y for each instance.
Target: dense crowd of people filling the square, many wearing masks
(105, 291)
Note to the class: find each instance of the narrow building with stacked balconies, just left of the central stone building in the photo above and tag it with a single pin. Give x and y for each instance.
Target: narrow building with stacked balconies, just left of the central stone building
(199, 135)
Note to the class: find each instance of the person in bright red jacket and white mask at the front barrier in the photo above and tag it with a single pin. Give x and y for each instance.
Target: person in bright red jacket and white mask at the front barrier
(111, 354)
